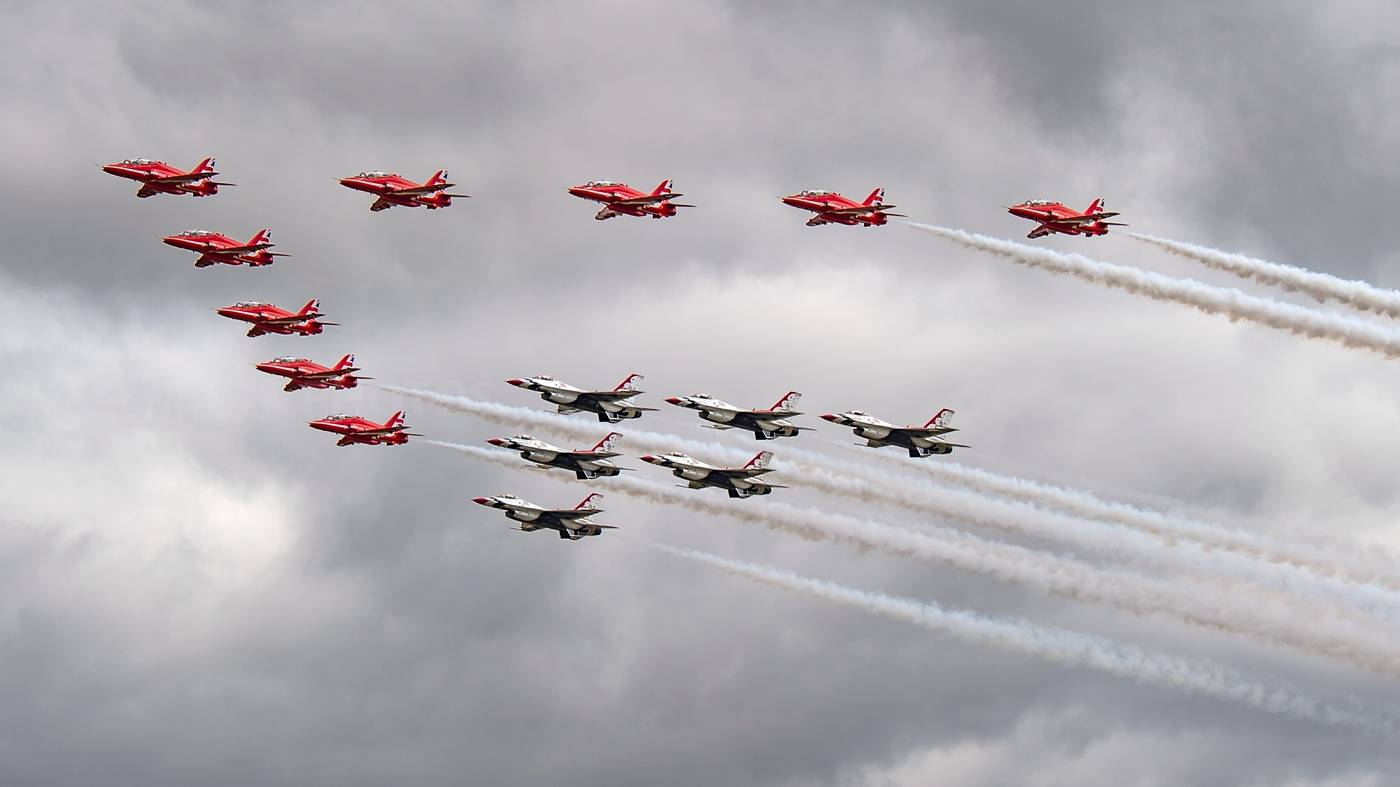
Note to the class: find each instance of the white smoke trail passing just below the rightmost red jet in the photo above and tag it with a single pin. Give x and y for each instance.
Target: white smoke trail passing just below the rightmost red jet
(1234, 305)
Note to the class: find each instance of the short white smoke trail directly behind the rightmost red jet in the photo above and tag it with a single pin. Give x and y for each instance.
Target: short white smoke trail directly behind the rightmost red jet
(1325, 288)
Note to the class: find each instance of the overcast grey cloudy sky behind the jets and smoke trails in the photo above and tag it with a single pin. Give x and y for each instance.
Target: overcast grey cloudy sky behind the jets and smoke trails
(198, 589)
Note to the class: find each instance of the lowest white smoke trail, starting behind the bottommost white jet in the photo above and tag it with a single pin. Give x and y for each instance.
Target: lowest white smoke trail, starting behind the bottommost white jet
(1073, 649)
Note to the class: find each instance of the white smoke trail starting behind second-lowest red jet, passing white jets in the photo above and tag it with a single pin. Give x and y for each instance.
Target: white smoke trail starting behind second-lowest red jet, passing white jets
(867, 485)
